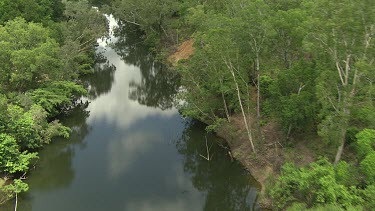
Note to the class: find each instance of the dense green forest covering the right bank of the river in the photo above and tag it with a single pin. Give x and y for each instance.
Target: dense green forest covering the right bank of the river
(306, 66)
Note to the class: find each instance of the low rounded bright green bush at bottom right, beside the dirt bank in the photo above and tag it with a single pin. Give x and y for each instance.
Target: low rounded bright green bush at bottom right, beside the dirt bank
(313, 185)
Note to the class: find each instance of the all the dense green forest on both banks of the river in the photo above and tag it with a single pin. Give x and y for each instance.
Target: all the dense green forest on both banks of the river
(306, 67)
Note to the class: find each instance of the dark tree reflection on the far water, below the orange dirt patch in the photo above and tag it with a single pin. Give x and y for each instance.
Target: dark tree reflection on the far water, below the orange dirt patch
(158, 86)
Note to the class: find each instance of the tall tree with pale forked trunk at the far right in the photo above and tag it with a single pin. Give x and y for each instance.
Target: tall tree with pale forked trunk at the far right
(347, 41)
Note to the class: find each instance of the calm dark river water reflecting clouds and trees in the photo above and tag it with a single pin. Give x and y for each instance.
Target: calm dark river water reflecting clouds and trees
(131, 150)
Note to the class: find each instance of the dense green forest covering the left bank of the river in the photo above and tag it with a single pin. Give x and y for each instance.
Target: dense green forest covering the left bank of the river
(44, 47)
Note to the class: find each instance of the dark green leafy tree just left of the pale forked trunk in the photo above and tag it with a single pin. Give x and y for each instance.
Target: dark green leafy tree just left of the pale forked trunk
(292, 95)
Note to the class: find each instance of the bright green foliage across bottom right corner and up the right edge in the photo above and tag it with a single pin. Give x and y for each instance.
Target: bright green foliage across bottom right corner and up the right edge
(325, 186)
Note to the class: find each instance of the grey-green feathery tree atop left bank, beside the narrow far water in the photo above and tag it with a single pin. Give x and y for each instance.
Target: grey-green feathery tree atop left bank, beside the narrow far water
(79, 32)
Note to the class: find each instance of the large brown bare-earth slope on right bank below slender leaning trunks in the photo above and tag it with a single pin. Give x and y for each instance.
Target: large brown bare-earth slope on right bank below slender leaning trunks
(270, 154)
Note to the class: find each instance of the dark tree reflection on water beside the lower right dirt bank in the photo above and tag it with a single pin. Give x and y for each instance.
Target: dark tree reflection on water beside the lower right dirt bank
(228, 186)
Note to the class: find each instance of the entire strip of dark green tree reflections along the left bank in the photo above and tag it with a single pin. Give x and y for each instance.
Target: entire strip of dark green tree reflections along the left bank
(54, 170)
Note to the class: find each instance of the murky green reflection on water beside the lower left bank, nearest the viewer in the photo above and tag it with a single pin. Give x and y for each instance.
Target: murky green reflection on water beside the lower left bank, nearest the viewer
(54, 169)
